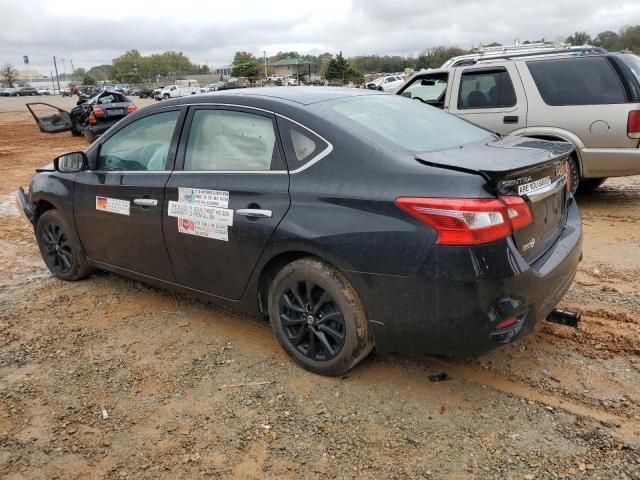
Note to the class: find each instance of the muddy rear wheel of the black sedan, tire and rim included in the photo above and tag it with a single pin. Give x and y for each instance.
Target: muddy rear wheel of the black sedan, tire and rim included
(324, 330)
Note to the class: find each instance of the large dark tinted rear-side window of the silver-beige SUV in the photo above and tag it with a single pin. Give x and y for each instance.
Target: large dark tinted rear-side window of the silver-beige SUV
(577, 81)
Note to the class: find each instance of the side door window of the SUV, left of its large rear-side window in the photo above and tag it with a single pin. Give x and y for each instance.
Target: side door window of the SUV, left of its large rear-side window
(486, 89)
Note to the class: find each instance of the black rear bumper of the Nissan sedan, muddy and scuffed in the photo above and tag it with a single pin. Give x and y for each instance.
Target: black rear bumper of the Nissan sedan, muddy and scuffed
(454, 303)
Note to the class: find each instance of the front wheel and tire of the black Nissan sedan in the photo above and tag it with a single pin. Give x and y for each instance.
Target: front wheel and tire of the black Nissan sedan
(62, 255)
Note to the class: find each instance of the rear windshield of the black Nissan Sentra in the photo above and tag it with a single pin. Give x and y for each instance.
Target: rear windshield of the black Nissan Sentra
(407, 123)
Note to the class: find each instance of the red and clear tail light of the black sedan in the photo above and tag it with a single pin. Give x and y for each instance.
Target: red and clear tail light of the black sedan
(469, 221)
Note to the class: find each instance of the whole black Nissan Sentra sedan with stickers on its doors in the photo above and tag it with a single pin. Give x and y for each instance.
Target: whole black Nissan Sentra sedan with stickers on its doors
(351, 218)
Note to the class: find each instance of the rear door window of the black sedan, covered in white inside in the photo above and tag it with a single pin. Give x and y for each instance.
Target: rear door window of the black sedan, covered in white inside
(224, 140)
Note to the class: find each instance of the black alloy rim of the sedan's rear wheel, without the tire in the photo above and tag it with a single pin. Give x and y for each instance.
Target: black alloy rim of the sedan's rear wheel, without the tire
(311, 320)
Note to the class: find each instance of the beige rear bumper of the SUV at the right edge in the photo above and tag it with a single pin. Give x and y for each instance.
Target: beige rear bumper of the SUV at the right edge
(610, 162)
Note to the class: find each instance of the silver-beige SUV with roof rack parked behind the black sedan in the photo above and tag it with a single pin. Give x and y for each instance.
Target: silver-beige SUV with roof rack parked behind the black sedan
(585, 96)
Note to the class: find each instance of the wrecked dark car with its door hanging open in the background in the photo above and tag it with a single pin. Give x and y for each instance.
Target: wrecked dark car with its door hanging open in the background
(91, 117)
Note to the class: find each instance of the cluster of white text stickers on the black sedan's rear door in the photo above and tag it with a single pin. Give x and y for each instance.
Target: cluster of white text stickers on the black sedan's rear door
(203, 213)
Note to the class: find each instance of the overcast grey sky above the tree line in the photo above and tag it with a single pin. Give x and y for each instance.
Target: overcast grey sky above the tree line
(93, 32)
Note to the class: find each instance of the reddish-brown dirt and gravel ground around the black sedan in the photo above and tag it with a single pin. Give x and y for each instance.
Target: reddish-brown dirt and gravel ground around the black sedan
(108, 378)
